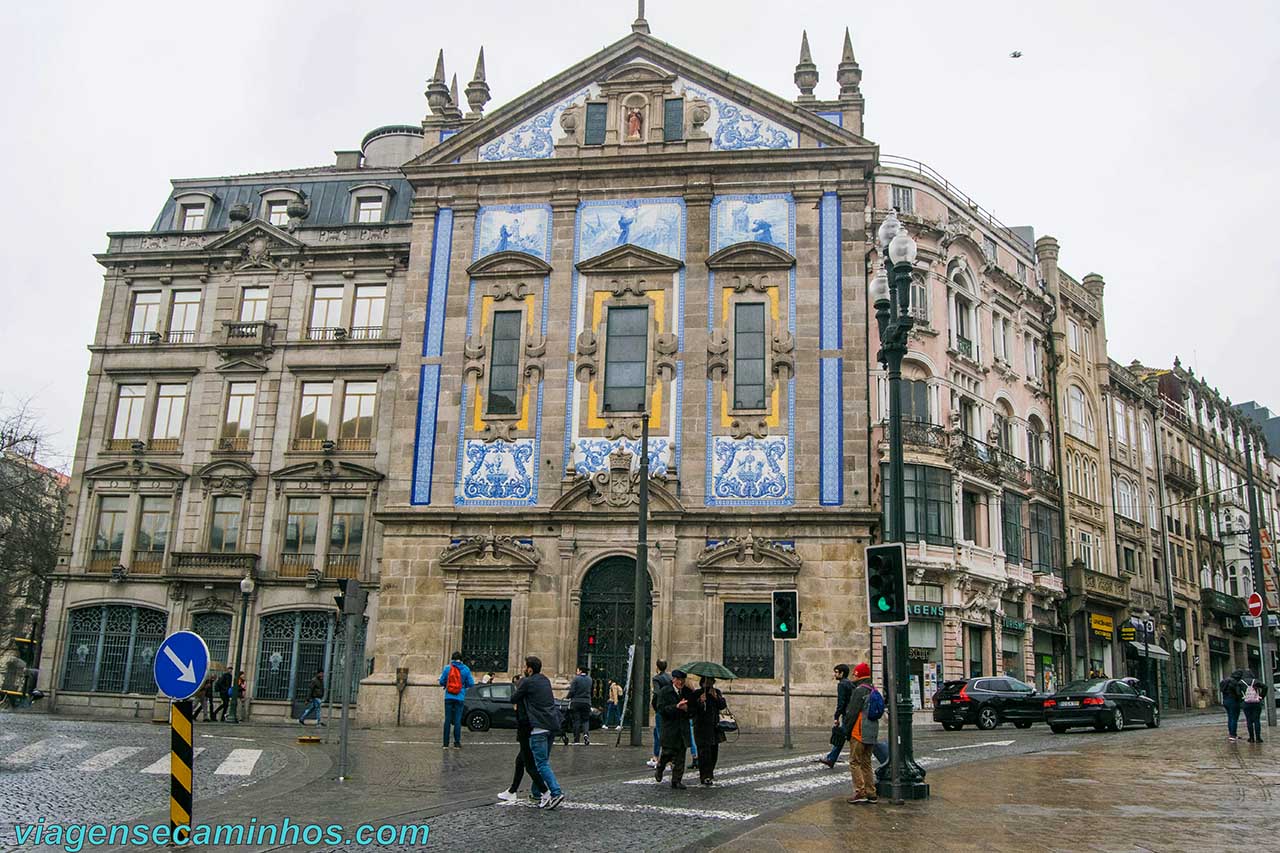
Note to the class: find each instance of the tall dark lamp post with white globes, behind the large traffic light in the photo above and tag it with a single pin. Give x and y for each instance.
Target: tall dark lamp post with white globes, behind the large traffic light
(892, 295)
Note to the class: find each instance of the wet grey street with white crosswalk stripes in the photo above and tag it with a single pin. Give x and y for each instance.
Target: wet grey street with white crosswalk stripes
(117, 772)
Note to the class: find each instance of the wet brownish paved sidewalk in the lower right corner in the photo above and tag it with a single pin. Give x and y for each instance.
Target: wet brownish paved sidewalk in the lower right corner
(1158, 792)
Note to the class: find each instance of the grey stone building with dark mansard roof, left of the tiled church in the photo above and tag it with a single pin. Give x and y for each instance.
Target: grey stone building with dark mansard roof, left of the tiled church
(236, 423)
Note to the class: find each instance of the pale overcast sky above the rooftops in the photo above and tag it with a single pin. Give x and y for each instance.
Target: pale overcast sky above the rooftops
(1142, 135)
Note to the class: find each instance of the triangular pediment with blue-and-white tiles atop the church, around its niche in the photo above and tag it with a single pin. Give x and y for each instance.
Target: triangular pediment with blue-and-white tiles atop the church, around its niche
(531, 127)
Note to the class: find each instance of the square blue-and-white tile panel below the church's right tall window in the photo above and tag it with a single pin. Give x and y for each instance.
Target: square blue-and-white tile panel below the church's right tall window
(755, 472)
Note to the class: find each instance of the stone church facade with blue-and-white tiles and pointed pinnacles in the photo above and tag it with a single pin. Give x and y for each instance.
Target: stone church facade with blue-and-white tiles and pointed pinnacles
(642, 232)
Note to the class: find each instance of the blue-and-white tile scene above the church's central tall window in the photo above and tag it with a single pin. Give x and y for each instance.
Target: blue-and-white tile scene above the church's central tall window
(657, 225)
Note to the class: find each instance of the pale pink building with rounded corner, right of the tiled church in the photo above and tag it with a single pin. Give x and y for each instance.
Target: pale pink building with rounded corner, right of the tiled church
(982, 518)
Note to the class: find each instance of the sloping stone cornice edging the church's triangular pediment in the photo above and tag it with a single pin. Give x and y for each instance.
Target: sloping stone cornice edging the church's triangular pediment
(625, 57)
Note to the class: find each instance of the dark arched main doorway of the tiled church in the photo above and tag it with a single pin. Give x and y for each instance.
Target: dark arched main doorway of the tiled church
(607, 613)
